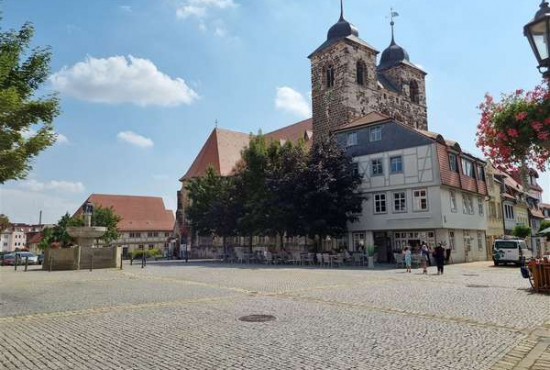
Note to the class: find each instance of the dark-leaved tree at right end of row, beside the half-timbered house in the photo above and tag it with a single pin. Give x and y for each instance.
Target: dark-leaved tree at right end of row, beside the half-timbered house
(329, 191)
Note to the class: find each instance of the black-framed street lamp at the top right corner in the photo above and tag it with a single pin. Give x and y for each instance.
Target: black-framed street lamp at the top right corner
(538, 34)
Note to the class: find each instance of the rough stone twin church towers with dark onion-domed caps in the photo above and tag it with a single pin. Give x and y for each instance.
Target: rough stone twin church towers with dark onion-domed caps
(346, 82)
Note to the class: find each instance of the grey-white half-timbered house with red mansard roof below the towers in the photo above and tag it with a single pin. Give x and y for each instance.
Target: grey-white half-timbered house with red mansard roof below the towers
(419, 187)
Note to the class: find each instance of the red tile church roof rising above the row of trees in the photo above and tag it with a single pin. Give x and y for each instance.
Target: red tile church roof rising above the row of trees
(222, 150)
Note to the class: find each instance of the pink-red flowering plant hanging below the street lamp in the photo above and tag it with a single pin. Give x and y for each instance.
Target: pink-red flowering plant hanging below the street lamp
(515, 132)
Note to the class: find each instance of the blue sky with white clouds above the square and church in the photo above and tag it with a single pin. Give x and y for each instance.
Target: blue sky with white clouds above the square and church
(174, 67)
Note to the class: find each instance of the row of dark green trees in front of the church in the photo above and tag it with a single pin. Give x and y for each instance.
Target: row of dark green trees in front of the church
(278, 190)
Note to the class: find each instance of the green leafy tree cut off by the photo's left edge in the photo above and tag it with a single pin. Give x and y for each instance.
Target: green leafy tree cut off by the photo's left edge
(22, 73)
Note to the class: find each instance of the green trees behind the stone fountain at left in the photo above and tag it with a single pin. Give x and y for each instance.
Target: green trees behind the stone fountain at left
(103, 217)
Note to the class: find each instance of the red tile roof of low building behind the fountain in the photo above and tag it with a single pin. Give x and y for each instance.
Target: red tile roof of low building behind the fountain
(138, 213)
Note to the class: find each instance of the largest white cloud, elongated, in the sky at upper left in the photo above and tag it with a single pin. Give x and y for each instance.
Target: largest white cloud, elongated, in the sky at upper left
(118, 80)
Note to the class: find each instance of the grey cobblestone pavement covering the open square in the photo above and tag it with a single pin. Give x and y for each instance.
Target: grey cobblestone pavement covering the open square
(177, 316)
